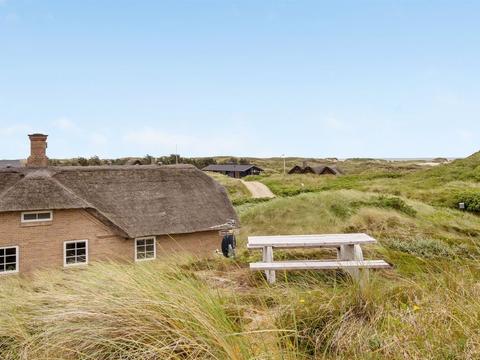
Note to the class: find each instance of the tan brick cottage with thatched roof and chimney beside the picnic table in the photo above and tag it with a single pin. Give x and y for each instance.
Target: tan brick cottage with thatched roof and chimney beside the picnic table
(71, 216)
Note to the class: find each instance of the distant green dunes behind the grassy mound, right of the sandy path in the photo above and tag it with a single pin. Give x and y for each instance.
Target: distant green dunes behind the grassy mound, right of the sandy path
(440, 185)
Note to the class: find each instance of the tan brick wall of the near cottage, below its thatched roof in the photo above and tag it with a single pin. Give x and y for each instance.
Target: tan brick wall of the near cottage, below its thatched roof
(41, 244)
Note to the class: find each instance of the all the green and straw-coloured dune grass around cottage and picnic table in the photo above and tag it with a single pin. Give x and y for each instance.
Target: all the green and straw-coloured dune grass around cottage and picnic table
(426, 307)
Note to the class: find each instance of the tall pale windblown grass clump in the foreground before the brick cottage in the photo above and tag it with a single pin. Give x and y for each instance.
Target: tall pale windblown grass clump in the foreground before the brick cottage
(117, 312)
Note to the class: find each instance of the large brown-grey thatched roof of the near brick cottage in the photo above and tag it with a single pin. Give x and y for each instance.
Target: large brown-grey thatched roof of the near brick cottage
(140, 201)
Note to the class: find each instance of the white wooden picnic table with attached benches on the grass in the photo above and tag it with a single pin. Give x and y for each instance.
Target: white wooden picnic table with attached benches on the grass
(349, 253)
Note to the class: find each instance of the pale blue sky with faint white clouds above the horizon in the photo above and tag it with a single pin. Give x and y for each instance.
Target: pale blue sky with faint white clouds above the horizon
(374, 78)
